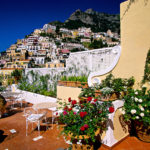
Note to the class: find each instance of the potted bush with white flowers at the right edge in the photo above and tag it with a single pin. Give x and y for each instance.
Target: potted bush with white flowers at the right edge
(137, 108)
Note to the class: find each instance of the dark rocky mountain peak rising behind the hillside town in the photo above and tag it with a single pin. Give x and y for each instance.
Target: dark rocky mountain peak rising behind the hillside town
(99, 22)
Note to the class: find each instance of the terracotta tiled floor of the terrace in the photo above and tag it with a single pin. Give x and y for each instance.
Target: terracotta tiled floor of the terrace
(50, 141)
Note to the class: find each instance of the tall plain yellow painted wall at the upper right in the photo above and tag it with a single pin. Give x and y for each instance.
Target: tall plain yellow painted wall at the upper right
(135, 39)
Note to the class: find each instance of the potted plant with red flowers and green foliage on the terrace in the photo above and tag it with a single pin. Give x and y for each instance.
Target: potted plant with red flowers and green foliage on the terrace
(84, 122)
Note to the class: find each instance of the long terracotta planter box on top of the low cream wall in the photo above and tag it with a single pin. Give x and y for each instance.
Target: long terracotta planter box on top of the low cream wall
(73, 84)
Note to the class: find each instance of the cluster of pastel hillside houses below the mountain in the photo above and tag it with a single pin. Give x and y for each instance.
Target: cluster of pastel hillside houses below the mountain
(44, 46)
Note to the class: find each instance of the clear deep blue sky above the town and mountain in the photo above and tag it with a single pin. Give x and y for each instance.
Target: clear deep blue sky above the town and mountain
(20, 17)
